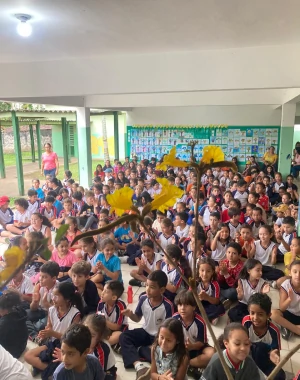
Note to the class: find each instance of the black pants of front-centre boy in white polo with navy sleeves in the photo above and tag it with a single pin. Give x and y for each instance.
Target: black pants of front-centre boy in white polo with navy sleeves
(130, 340)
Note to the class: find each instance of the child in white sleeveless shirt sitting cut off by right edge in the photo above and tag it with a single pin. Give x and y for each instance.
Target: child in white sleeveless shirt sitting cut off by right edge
(288, 314)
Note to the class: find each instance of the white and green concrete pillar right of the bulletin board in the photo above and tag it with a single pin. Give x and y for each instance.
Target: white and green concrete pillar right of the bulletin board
(286, 138)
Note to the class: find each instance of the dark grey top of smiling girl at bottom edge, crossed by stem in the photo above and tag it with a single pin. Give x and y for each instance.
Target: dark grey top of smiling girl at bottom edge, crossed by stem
(245, 370)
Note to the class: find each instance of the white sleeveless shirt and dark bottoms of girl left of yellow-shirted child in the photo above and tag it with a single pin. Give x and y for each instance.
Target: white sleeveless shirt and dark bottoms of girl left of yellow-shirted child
(263, 255)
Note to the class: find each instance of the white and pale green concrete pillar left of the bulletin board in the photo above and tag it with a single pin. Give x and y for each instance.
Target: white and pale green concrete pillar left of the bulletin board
(84, 146)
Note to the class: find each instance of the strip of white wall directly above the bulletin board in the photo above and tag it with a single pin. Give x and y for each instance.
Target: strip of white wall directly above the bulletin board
(205, 115)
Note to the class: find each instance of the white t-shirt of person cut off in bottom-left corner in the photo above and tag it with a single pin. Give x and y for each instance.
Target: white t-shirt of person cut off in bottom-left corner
(11, 368)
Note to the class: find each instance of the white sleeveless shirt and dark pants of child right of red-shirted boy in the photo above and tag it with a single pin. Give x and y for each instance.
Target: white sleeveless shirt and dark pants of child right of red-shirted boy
(237, 313)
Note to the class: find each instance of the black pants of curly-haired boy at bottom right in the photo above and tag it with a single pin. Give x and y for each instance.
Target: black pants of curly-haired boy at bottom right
(260, 354)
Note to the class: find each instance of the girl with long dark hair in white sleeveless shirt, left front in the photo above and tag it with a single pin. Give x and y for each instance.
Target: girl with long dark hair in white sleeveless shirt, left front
(61, 315)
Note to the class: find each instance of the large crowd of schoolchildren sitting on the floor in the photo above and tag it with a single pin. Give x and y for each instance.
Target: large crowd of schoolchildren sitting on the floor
(71, 305)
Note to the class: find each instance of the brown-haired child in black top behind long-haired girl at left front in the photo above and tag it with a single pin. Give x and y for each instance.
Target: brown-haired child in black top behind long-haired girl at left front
(80, 273)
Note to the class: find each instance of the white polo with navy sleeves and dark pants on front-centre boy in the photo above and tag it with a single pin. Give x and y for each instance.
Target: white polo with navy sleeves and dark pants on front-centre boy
(131, 340)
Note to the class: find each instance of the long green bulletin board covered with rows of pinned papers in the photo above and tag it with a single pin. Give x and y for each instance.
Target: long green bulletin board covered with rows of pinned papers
(241, 142)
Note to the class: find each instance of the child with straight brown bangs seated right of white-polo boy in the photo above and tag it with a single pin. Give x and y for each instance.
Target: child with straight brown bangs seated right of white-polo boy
(194, 330)
